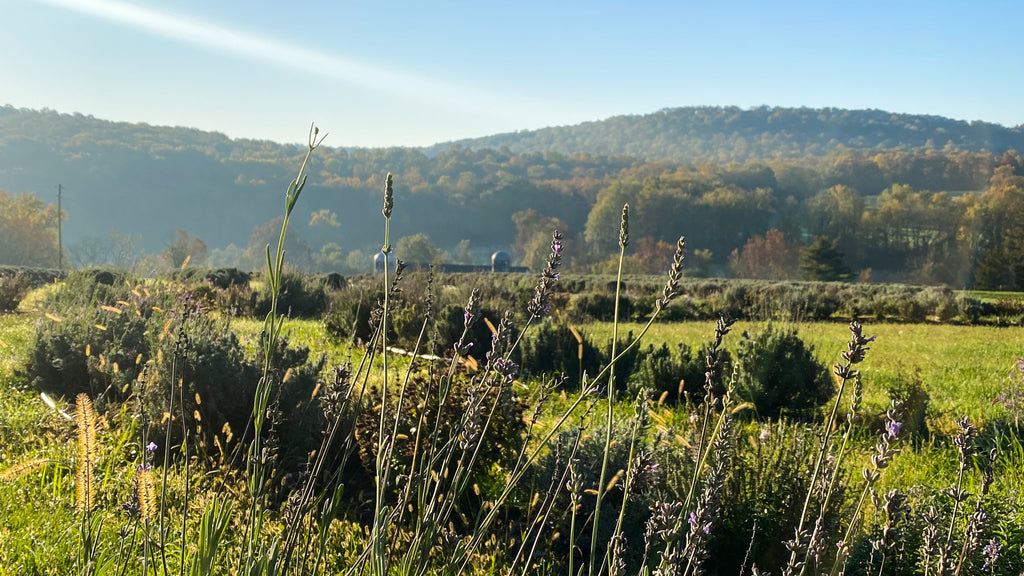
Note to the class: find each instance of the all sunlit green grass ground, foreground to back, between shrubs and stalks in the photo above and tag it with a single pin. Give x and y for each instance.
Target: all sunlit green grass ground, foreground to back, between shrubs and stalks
(963, 367)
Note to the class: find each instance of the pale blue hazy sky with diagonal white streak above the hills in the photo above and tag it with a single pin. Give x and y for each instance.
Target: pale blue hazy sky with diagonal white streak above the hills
(376, 73)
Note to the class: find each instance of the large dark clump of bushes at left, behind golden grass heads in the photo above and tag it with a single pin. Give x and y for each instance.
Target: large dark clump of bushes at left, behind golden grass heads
(133, 348)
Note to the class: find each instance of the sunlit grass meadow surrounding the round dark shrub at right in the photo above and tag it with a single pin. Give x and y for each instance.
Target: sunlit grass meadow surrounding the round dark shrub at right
(963, 367)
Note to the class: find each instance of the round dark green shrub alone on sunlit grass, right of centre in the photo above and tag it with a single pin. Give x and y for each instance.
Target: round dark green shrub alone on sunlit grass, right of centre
(780, 376)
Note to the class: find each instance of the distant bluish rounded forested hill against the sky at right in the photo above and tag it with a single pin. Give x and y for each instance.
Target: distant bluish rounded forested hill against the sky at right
(733, 135)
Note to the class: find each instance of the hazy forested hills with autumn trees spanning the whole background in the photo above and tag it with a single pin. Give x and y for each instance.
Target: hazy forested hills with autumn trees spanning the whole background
(148, 197)
